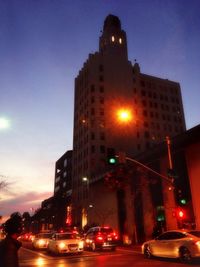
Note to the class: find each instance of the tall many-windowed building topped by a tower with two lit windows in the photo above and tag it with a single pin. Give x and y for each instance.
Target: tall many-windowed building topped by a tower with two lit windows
(107, 83)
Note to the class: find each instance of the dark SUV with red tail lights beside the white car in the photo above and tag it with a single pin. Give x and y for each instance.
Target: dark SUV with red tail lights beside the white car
(100, 238)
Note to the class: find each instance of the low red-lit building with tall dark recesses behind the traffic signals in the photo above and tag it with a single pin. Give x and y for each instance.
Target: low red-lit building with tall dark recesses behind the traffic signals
(135, 200)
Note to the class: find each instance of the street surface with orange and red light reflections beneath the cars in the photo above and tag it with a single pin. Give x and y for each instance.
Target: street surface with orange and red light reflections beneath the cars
(121, 257)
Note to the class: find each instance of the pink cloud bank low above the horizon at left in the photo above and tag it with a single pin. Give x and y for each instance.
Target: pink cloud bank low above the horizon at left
(13, 202)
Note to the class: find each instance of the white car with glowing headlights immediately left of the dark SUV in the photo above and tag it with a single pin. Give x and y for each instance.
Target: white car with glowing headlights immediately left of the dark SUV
(67, 242)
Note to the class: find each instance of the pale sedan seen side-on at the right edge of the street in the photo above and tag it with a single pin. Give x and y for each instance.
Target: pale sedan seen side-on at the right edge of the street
(182, 244)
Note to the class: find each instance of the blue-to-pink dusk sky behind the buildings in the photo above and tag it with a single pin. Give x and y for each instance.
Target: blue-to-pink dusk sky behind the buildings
(43, 45)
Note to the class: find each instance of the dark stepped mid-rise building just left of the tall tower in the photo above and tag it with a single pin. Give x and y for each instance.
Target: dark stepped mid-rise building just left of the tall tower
(55, 212)
